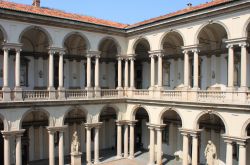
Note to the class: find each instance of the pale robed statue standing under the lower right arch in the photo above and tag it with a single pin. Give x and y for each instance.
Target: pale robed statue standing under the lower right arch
(210, 153)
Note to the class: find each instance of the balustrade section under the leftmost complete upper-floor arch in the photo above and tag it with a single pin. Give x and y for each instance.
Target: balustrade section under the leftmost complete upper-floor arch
(35, 95)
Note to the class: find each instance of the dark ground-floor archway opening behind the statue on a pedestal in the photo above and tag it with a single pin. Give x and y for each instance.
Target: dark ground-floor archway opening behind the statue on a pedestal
(74, 119)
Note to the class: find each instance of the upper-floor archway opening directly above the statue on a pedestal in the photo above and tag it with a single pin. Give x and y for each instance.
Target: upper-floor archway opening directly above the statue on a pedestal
(76, 46)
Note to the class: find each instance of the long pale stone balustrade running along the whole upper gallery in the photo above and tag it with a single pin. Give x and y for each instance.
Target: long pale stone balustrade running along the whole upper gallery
(201, 96)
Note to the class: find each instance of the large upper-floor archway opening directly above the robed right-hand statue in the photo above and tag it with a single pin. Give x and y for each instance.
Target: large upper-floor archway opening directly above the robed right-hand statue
(213, 57)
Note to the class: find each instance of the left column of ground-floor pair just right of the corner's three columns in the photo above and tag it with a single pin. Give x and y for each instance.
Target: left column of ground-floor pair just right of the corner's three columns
(152, 146)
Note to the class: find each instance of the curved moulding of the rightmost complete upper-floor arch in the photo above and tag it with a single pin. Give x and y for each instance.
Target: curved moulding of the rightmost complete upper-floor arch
(196, 39)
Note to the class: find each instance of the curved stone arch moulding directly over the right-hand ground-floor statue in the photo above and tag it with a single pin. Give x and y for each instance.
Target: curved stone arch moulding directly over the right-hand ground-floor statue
(196, 122)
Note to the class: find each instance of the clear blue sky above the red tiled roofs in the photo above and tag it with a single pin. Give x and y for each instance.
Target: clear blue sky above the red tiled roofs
(124, 11)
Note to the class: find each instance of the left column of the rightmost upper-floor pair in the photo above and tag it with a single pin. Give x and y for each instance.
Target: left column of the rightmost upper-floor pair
(230, 66)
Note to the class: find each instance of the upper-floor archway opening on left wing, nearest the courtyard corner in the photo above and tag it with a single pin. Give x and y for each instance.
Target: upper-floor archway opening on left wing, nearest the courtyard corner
(109, 49)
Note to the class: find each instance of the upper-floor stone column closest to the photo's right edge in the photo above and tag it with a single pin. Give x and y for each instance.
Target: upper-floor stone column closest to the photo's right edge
(243, 84)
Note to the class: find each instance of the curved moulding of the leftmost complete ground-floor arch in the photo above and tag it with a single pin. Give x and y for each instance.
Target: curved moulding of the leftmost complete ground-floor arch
(50, 119)
